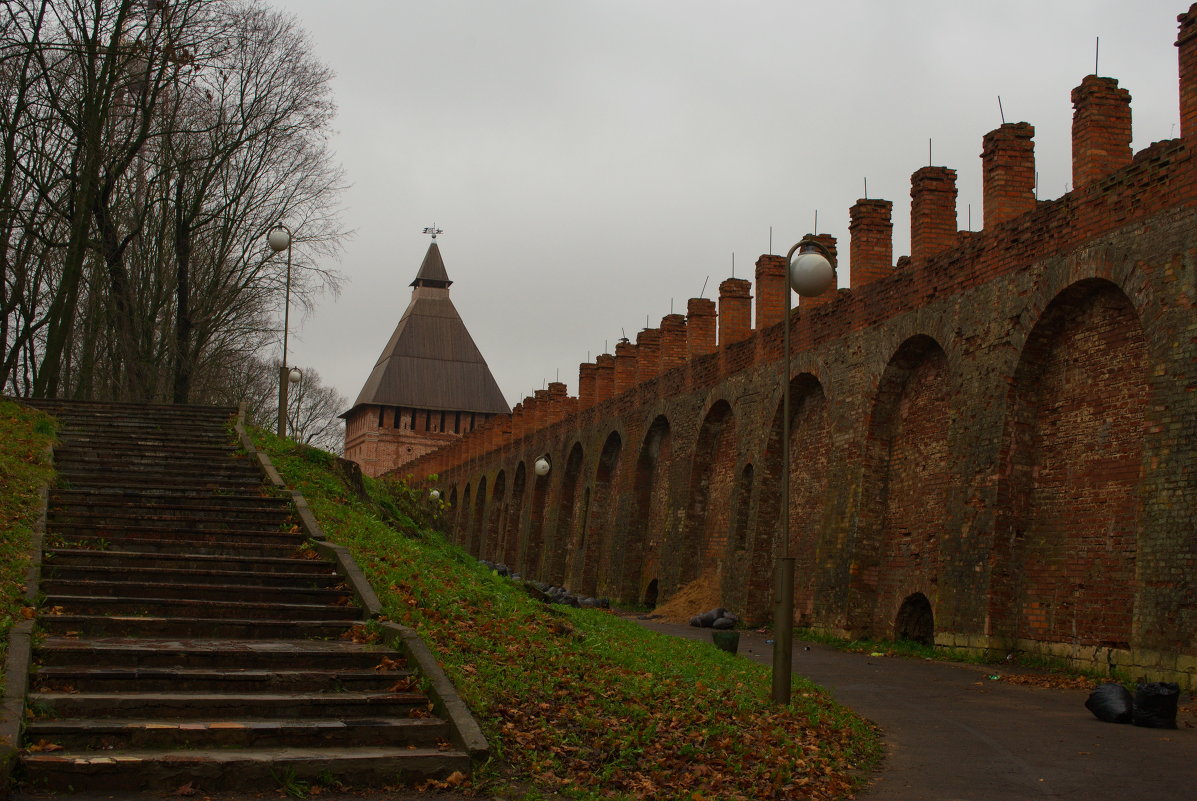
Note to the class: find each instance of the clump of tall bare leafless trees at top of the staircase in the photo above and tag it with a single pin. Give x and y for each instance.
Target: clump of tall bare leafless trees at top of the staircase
(149, 148)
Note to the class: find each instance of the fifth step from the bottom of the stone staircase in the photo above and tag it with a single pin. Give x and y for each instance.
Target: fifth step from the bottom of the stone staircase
(198, 653)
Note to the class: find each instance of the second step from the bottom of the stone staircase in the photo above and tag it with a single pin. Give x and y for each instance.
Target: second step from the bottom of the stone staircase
(107, 736)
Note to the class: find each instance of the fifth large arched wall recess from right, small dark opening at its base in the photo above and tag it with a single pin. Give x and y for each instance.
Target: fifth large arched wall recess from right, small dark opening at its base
(651, 514)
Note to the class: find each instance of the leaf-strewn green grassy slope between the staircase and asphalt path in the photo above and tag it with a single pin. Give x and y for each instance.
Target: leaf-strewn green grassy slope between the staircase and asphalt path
(580, 702)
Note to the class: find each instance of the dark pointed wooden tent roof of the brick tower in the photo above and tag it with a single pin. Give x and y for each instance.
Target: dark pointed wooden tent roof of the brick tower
(432, 361)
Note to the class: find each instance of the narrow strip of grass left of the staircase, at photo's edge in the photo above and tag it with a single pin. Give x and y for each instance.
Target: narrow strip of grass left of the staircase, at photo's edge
(25, 436)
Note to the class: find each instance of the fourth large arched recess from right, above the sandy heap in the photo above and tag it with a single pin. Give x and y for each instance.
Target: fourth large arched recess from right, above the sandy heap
(713, 476)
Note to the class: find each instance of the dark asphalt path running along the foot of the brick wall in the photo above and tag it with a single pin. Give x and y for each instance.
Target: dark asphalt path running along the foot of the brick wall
(953, 735)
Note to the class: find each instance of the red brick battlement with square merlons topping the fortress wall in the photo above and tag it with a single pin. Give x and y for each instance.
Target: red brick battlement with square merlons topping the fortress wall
(1111, 189)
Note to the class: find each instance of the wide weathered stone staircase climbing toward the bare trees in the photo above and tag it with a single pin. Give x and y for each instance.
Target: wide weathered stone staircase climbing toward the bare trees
(190, 636)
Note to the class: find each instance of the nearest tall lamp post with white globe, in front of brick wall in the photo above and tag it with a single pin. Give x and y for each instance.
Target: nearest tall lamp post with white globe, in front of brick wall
(810, 272)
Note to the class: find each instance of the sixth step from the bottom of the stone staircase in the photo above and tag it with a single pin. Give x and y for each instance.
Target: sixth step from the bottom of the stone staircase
(99, 626)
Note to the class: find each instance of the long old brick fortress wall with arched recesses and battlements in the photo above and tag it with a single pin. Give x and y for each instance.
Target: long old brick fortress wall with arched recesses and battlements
(994, 440)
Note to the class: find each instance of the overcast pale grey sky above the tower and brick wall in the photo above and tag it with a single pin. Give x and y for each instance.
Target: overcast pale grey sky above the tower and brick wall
(594, 161)
